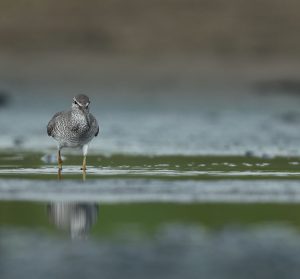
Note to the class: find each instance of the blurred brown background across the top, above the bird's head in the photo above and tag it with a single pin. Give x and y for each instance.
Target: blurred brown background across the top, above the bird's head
(149, 46)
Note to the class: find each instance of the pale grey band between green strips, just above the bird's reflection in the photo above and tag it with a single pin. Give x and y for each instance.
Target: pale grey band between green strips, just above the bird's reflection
(145, 190)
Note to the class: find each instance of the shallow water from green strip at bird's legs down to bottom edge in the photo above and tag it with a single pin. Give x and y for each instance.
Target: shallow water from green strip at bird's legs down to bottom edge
(135, 216)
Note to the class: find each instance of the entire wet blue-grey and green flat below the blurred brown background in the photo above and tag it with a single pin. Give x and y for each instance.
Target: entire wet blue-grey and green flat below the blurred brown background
(162, 196)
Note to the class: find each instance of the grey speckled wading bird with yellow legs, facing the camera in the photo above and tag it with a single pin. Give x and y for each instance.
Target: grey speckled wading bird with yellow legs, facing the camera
(74, 128)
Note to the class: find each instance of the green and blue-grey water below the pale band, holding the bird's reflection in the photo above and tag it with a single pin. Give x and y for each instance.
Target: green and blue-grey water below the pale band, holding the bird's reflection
(149, 240)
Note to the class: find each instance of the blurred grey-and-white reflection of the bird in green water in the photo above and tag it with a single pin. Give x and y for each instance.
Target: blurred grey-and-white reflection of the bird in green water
(76, 218)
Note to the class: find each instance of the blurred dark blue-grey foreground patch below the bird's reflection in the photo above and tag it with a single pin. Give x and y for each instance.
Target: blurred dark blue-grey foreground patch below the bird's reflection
(176, 251)
